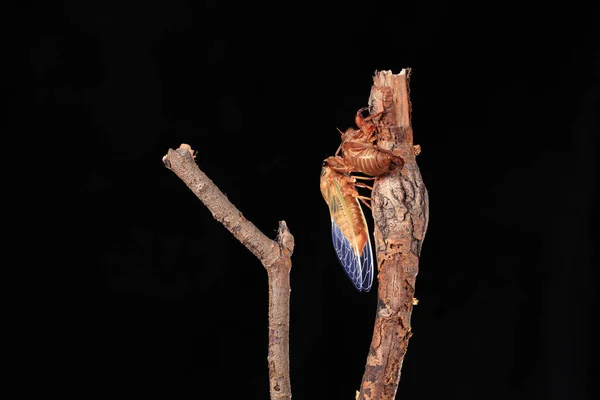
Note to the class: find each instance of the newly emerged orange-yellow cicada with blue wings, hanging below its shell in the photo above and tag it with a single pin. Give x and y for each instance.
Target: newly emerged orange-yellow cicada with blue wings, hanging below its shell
(348, 224)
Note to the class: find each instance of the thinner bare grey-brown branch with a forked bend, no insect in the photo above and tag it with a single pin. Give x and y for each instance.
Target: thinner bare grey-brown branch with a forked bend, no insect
(275, 255)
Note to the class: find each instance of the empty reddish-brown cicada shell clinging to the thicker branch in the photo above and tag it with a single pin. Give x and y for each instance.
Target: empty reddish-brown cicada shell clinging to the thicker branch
(361, 154)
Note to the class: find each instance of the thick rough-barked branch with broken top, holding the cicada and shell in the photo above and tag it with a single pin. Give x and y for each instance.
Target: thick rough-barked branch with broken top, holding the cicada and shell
(401, 213)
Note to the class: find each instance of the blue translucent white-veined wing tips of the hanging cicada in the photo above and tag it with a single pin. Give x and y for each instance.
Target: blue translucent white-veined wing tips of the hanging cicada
(358, 267)
